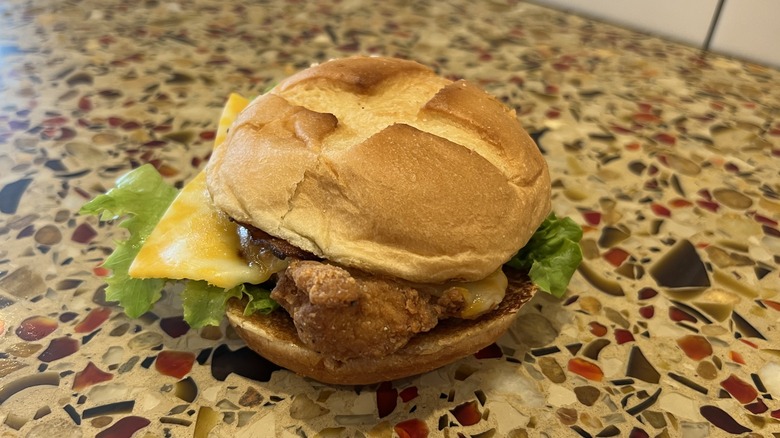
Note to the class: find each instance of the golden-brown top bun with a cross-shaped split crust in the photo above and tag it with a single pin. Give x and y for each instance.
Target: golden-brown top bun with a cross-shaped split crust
(381, 165)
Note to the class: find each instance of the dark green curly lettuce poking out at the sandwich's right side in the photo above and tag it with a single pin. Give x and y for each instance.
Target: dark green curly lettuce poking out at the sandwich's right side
(551, 255)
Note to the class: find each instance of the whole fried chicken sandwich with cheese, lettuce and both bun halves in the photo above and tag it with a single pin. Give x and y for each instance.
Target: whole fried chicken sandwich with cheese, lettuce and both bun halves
(364, 220)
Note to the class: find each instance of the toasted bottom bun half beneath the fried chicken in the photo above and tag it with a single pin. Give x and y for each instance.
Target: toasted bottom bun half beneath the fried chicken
(274, 337)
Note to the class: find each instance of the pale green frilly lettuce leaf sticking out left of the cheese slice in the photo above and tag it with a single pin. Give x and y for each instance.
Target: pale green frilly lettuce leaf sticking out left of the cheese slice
(143, 197)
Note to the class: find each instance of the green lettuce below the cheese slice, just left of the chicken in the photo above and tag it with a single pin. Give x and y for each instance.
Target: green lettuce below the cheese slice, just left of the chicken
(205, 304)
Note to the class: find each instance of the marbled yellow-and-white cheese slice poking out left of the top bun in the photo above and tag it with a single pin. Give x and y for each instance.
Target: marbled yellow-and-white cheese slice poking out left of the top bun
(194, 241)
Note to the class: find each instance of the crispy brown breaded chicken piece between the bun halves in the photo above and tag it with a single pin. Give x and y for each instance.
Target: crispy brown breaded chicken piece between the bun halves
(345, 314)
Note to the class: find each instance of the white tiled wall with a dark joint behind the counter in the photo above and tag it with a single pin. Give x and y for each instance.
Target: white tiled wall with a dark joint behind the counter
(745, 29)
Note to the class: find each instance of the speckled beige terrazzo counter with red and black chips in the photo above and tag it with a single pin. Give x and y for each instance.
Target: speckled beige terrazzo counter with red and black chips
(668, 158)
